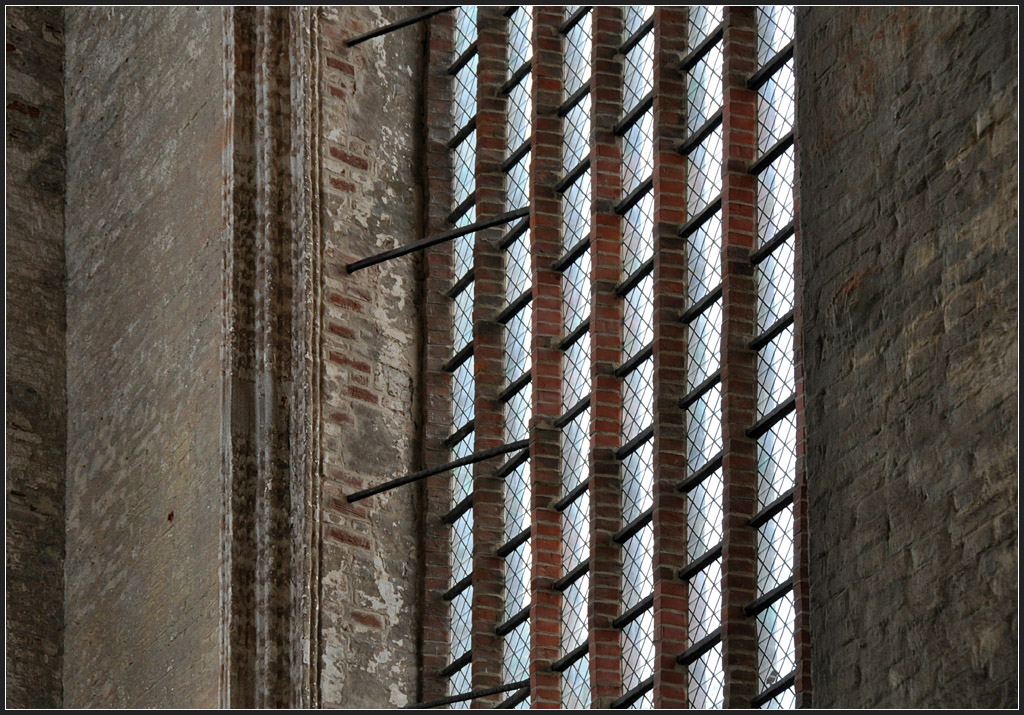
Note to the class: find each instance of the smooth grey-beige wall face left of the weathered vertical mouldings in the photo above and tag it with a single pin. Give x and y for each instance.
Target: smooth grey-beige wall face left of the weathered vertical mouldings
(145, 241)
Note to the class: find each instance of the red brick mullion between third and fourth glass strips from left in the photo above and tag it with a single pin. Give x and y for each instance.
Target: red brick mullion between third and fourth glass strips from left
(605, 602)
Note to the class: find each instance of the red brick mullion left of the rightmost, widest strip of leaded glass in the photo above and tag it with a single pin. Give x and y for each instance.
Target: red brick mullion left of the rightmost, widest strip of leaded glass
(739, 362)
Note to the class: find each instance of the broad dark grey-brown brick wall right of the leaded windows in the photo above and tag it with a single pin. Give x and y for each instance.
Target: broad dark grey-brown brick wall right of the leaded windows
(908, 132)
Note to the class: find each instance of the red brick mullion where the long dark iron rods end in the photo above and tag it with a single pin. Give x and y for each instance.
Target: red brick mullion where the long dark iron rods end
(547, 322)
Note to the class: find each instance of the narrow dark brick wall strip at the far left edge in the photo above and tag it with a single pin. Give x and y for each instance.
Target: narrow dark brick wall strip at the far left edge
(35, 346)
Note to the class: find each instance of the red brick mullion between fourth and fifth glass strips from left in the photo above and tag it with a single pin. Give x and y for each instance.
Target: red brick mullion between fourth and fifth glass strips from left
(669, 518)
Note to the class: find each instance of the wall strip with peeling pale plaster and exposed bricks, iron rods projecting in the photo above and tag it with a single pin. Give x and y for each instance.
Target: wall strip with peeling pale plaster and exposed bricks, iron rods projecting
(371, 358)
